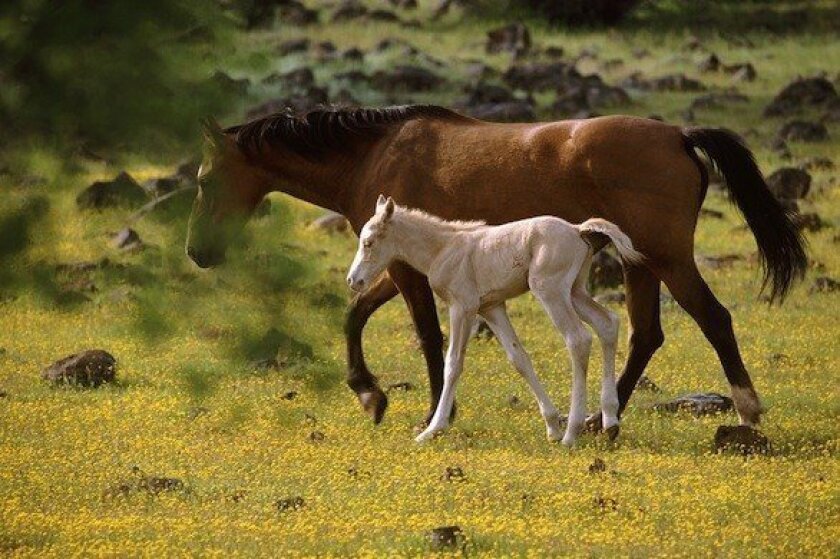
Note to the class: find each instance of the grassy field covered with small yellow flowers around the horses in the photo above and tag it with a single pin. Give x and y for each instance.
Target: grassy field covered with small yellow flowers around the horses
(190, 405)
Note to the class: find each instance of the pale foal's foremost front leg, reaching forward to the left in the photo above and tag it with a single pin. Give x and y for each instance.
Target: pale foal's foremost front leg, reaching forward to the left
(460, 324)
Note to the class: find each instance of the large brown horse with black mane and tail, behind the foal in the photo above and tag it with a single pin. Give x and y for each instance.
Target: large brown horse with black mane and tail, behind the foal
(643, 175)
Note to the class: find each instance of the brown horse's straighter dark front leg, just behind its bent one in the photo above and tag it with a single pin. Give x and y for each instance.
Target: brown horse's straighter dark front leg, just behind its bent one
(421, 304)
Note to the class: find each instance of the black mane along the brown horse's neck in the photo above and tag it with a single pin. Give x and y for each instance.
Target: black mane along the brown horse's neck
(325, 130)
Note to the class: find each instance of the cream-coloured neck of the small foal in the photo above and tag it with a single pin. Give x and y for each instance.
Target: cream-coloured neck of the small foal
(419, 242)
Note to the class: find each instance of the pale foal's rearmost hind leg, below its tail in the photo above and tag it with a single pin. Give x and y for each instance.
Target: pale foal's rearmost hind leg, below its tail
(605, 323)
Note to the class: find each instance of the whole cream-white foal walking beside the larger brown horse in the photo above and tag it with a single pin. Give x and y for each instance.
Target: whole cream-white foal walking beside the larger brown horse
(475, 268)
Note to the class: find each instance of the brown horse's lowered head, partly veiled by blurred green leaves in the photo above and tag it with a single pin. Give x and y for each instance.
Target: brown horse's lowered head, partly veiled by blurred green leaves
(229, 188)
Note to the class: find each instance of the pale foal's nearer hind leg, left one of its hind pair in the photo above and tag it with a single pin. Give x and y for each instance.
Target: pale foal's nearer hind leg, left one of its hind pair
(556, 298)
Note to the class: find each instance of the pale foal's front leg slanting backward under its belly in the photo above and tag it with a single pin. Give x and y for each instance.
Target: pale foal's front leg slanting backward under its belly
(499, 322)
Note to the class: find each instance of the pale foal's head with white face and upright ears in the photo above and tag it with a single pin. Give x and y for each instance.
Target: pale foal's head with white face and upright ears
(376, 247)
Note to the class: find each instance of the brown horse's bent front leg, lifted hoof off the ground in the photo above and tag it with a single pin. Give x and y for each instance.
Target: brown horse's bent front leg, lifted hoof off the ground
(359, 377)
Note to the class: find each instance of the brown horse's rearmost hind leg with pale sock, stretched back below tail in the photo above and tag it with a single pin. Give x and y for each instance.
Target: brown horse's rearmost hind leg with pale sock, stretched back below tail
(693, 294)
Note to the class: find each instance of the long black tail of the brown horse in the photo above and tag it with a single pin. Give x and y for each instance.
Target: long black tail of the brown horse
(781, 246)
